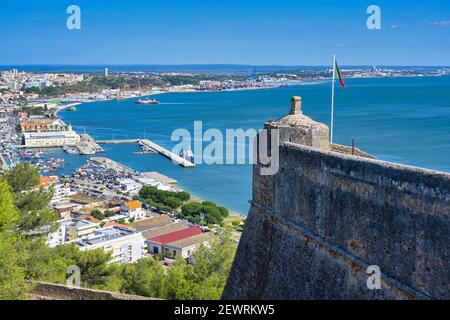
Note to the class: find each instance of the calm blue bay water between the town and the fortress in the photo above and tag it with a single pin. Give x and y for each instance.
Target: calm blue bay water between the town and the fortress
(404, 120)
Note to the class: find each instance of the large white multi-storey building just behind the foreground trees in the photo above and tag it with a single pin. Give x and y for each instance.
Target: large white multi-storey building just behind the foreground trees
(126, 246)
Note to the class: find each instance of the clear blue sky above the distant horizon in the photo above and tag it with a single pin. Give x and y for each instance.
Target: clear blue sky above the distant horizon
(284, 32)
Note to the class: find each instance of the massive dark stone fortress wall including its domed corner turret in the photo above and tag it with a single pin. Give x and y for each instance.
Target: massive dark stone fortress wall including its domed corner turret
(330, 212)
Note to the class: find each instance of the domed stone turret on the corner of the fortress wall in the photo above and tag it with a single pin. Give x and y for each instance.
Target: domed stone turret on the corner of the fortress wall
(298, 128)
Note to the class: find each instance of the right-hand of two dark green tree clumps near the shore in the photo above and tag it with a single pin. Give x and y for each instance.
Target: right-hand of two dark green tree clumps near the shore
(209, 211)
